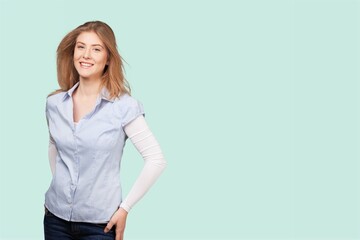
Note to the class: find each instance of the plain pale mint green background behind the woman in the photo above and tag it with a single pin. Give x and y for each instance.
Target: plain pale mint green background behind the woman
(255, 104)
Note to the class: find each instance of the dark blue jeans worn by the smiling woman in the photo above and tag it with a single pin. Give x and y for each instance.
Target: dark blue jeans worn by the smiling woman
(58, 229)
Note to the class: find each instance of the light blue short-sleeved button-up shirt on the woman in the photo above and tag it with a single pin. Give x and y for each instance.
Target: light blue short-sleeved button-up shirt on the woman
(86, 183)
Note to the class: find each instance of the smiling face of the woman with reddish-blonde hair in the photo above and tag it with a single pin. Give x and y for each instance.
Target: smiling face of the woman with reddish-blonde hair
(90, 56)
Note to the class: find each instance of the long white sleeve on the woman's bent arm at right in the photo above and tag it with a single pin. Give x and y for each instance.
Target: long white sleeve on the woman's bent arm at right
(154, 161)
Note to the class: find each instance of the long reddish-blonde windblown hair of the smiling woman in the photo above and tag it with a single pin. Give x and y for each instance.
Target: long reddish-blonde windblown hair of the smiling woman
(113, 77)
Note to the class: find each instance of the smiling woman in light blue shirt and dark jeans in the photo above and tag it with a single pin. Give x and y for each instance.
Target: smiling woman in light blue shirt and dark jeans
(89, 119)
